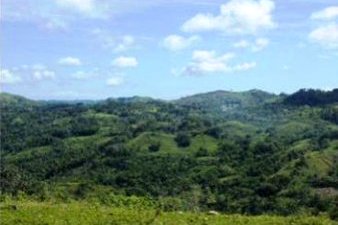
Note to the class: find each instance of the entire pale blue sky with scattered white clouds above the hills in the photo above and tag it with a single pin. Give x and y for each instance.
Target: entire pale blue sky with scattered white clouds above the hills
(95, 49)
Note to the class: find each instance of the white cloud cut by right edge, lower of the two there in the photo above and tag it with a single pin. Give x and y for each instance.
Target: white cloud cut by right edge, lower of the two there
(326, 36)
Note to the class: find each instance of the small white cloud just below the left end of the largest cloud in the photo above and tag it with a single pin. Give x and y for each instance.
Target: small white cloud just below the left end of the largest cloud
(176, 42)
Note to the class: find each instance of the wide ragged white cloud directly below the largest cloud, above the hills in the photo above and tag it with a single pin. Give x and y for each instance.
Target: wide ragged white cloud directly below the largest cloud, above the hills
(207, 62)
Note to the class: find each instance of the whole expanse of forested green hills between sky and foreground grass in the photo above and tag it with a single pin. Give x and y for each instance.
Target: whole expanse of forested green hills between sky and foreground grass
(238, 152)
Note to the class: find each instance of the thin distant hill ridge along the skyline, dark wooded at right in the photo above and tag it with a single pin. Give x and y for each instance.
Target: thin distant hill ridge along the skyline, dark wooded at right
(221, 99)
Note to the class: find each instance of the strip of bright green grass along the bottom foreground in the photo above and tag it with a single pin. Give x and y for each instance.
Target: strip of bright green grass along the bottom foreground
(38, 213)
